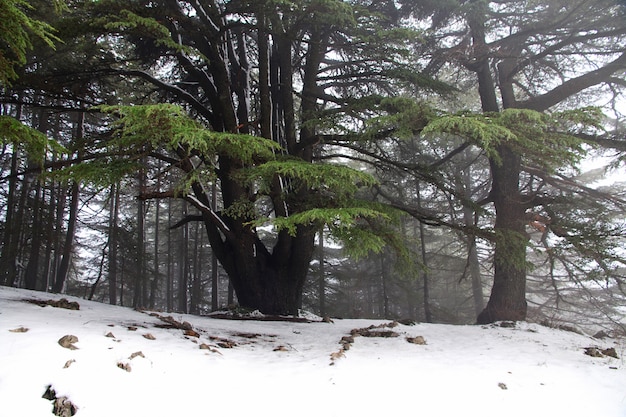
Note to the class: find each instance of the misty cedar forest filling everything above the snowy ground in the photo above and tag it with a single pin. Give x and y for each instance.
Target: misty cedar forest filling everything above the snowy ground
(451, 161)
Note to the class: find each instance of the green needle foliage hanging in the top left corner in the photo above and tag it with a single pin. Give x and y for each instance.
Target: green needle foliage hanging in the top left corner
(16, 29)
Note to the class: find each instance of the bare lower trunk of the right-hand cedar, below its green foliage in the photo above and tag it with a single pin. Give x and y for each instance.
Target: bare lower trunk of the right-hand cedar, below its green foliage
(508, 294)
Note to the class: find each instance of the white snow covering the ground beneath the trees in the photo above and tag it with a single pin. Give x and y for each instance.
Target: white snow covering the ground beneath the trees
(281, 368)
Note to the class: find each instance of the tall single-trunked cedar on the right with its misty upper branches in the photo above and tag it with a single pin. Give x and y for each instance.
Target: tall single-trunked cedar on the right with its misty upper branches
(541, 63)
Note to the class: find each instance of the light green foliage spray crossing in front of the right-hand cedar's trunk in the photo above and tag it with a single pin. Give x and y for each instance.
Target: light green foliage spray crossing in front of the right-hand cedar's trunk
(547, 141)
